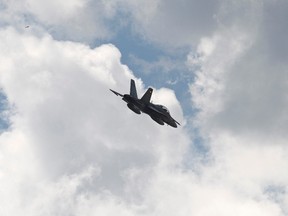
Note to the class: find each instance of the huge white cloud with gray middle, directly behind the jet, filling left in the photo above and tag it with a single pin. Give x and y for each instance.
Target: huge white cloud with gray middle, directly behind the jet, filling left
(71, 141)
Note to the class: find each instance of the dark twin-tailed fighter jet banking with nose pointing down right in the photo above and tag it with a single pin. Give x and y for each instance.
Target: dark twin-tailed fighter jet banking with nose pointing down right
(158, 113)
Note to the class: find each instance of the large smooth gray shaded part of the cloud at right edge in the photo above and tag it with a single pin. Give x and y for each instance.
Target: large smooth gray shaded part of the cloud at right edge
(252, 84)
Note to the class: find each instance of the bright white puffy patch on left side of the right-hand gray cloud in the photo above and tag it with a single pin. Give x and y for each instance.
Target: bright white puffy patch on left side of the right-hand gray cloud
(215, 57)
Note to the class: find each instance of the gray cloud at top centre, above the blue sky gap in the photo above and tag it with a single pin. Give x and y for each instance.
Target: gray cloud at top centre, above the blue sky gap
(173, 23)
